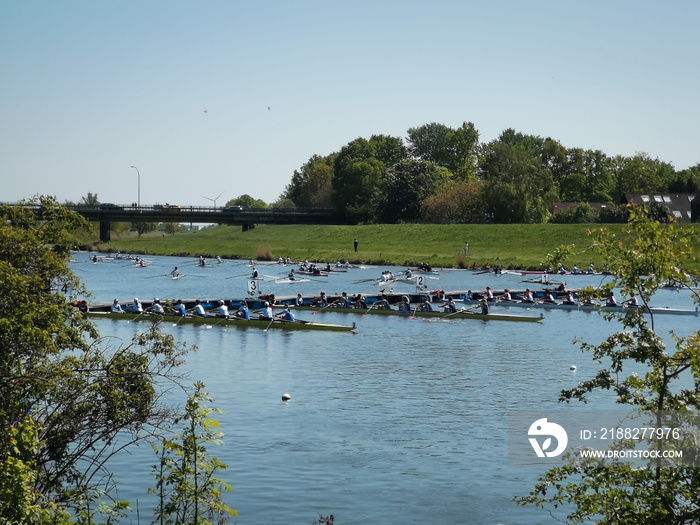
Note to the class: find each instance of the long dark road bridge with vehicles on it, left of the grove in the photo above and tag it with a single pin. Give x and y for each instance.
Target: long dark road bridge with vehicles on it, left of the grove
(247, 218)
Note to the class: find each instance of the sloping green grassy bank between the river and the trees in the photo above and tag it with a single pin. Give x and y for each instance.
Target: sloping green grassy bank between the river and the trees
(516, 245)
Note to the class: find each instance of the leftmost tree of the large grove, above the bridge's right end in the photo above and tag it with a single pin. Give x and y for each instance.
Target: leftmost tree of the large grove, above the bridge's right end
(311, 185)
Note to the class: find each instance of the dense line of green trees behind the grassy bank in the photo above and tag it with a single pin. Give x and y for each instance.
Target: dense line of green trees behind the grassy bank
(444, 175)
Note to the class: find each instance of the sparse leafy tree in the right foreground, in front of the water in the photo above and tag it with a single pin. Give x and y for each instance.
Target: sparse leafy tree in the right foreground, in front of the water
(647, 256)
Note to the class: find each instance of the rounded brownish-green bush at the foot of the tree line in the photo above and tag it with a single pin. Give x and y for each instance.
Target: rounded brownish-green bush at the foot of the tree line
(457, 203)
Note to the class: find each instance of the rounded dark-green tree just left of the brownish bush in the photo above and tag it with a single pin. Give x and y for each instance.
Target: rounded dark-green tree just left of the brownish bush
(405, 186)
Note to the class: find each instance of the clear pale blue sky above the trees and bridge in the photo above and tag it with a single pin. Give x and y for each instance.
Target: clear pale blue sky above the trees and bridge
(182, 89)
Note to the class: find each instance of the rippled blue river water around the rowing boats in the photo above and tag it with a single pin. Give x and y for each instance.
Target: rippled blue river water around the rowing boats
(403, 421)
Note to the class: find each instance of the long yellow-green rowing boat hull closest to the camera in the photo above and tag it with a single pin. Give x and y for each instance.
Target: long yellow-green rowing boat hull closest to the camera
(223, 321)
